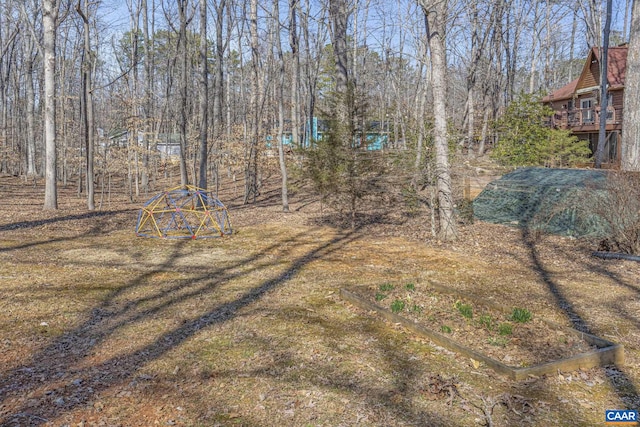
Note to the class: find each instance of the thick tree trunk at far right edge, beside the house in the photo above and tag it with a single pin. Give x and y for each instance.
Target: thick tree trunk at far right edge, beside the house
(631, 130)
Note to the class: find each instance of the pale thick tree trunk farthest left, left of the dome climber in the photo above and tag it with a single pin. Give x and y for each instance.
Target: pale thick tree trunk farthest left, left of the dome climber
(50, 23)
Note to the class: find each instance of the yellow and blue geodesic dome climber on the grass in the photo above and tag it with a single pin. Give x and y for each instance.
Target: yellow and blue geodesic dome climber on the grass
(183, 213)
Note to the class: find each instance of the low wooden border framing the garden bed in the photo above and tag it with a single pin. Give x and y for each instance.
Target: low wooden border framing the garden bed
(607, 353)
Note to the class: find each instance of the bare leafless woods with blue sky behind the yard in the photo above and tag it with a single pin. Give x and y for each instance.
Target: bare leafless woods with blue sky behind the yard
(84, 95)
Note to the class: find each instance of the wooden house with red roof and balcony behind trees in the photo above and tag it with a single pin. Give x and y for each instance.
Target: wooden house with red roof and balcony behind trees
(576, 106)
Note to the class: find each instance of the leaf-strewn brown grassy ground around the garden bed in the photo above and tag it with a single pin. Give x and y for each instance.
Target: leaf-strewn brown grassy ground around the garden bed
(99, 327)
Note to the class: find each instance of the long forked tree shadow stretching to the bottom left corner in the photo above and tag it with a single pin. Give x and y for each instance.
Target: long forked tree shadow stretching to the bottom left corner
(45, 377)
